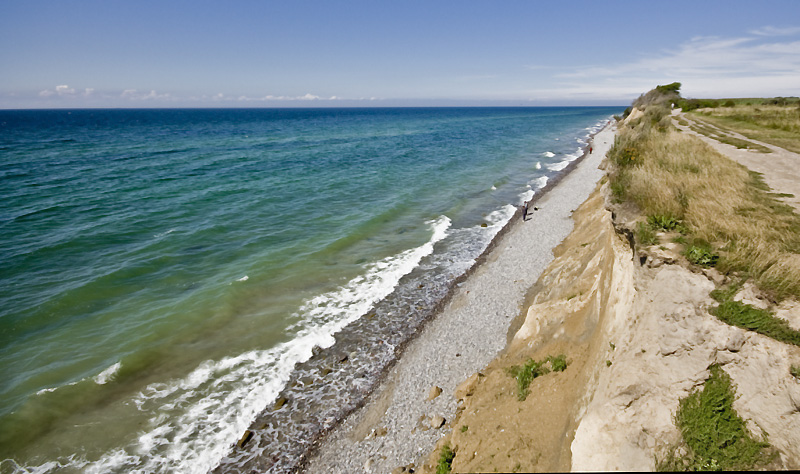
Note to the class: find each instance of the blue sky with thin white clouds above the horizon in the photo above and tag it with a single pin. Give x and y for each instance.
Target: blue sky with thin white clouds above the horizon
(301, 53)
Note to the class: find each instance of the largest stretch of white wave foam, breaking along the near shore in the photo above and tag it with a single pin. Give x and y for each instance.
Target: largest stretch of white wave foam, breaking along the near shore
(178, 436)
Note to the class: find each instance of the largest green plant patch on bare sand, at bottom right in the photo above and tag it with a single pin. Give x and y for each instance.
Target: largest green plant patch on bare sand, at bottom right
(714, 436)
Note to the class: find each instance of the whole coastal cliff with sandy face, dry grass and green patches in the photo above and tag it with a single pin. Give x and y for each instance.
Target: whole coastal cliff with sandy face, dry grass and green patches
(626, 337)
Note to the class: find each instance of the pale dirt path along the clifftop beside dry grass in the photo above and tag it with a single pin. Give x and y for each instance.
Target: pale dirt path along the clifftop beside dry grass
(781, 168)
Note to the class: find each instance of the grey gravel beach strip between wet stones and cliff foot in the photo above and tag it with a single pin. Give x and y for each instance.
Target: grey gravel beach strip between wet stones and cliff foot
(402, 420)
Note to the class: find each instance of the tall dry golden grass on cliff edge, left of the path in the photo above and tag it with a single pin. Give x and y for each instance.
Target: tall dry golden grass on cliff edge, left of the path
(669, 174)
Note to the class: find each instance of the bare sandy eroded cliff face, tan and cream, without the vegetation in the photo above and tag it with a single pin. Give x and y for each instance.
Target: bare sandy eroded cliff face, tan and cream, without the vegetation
(638, 337)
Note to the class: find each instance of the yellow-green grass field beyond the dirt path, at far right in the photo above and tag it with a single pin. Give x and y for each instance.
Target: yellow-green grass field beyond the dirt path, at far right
(775, 124)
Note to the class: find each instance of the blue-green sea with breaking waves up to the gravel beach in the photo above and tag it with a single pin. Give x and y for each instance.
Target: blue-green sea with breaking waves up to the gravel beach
(170, 278)
